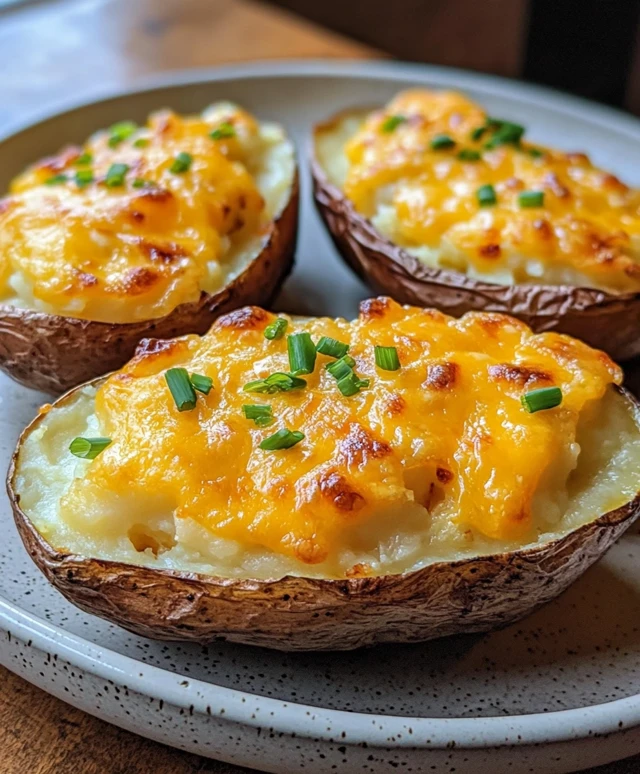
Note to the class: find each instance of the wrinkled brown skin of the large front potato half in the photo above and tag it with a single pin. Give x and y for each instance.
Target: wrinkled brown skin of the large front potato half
(296, 613)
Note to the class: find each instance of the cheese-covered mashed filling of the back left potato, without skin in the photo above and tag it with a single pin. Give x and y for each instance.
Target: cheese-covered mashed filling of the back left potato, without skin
(145, 218)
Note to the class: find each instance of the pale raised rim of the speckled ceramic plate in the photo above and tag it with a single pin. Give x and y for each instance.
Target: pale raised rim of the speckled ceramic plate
(310, 721)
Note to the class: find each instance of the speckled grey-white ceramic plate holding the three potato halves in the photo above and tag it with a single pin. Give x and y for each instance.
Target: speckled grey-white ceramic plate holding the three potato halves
(557, 692)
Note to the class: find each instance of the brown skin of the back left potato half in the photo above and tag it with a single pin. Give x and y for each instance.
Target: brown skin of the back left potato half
(52, 353)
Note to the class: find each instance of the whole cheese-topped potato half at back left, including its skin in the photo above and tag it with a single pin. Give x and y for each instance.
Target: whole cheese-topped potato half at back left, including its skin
(150, 230)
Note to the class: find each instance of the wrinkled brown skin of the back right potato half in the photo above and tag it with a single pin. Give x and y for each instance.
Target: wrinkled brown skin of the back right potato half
(604, 320)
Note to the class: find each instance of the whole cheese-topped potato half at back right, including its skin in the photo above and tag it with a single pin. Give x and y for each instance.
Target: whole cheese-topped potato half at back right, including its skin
(437, 204)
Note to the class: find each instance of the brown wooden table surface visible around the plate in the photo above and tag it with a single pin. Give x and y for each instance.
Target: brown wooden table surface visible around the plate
(54, 50)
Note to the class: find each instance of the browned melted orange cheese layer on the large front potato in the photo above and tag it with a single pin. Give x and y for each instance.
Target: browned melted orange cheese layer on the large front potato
(446, 430)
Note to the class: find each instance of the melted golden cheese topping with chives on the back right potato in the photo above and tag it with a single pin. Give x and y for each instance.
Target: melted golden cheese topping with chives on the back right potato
(427, 155)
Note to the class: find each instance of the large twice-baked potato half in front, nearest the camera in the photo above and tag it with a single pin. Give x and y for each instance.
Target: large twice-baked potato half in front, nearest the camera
(324, 484)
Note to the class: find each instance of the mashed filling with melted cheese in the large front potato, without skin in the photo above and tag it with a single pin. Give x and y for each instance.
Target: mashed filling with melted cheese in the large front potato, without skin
(436, 460)
